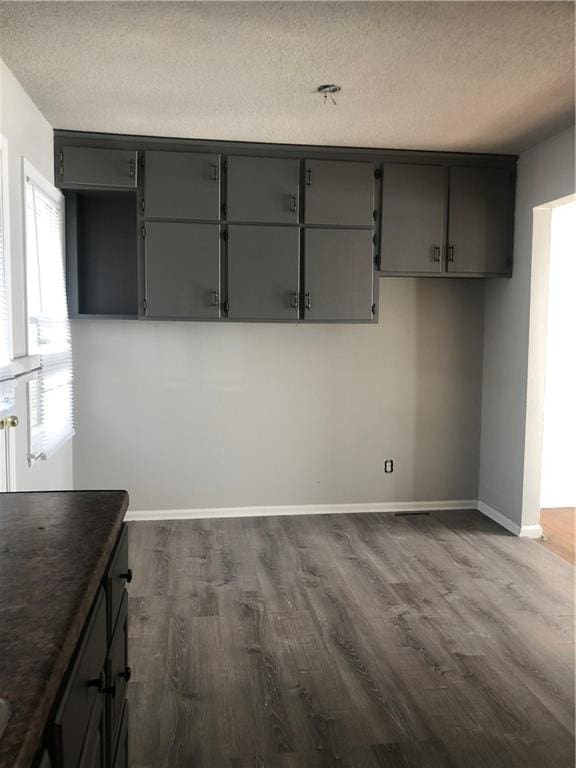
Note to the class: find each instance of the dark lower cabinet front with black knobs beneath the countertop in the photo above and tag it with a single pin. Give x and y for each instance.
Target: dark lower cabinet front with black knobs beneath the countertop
(89, 726)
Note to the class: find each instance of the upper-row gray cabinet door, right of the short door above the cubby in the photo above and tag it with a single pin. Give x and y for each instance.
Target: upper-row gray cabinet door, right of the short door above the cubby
(182, 185)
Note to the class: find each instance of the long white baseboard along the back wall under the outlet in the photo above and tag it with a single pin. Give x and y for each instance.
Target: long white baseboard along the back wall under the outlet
(304, 509)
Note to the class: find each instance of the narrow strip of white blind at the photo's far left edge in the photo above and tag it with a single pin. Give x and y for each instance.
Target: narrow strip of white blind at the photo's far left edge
(6, 387)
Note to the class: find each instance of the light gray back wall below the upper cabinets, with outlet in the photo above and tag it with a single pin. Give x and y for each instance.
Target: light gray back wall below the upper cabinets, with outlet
(189, 415)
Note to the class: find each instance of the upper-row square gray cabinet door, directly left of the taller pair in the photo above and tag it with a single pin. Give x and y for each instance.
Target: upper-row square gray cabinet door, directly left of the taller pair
(339, 193)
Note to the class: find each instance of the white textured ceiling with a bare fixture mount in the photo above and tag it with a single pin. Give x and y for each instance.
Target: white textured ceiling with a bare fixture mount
(478, 76)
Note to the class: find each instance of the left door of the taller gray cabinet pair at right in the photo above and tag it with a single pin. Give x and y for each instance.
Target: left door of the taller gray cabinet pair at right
(413, 218)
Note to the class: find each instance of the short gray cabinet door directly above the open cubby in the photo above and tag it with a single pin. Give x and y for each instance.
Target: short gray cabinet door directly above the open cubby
(88, 168)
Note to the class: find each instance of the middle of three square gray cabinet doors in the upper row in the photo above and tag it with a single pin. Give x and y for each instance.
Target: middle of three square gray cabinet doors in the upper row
(262, 189)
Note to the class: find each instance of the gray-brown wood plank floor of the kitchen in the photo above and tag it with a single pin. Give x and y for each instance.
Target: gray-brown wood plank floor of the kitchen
(357, 641)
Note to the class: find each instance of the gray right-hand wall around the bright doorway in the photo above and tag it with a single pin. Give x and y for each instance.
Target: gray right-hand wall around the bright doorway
(545, 173)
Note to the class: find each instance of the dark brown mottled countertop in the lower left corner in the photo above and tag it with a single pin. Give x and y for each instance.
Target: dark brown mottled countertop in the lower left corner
(54, 548)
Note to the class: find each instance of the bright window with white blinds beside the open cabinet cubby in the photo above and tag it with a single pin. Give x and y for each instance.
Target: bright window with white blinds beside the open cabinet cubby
(50, 415)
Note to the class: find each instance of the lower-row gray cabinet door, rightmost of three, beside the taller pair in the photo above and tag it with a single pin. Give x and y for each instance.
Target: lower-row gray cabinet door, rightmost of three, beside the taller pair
(338, 274)
